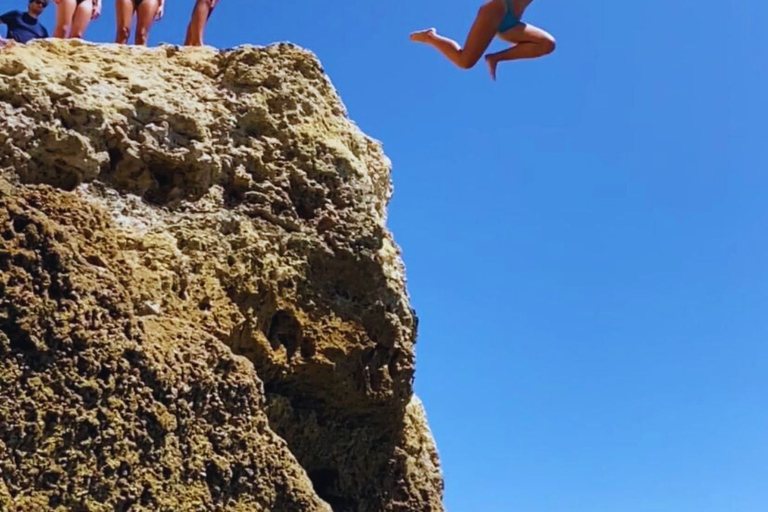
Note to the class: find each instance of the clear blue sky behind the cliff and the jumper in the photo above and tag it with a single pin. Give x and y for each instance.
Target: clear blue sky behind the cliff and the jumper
(585, 240)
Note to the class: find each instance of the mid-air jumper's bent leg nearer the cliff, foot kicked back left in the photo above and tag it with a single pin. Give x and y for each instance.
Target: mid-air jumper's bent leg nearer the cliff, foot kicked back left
(480, 36)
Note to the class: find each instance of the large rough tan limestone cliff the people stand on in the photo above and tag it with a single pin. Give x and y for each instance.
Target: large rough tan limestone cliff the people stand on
(201, 307)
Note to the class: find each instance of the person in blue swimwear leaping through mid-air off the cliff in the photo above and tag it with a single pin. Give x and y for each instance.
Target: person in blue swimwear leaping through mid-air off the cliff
(500, 18)
